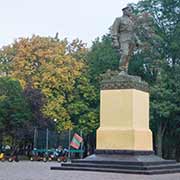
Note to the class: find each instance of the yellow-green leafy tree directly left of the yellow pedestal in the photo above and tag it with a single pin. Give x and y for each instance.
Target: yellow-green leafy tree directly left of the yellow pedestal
(83, 106)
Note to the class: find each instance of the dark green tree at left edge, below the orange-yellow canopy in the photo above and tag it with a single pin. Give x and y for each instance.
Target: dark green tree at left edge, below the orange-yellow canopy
(14, 110)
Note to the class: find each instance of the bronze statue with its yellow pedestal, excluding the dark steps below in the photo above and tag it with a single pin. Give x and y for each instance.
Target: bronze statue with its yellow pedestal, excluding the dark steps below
(124, 108)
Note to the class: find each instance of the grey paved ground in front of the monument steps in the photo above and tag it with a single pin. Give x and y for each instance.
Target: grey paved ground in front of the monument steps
(26, 170)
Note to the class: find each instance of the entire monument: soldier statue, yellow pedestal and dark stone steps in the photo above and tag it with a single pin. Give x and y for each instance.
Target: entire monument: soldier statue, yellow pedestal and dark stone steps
(124, 140)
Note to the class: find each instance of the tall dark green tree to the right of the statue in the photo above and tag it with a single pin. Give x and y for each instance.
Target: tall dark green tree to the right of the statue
(159, 65)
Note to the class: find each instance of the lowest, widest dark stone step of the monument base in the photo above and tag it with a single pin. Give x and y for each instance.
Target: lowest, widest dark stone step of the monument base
(129, 171)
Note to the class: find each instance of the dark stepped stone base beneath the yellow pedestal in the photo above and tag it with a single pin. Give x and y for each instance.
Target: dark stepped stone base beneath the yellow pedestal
(123, 161)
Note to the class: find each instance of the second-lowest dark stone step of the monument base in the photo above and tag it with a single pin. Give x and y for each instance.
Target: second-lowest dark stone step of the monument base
(120, 166)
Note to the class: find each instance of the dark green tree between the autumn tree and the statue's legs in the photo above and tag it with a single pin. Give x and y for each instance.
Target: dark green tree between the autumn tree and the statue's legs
(101, 57)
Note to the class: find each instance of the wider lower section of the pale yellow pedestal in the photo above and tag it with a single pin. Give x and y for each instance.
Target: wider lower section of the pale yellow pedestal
(120, 139)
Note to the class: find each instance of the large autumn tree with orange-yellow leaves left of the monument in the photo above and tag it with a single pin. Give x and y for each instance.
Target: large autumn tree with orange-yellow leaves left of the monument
(54, 67)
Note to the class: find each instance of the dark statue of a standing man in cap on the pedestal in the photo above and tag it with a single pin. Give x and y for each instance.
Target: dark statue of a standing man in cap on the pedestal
(124, 37)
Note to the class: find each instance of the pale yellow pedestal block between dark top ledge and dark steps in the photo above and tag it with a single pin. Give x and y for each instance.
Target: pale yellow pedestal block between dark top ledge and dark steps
(124, 120)
